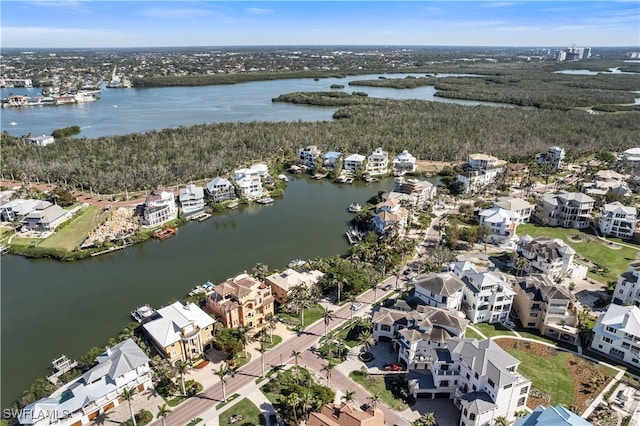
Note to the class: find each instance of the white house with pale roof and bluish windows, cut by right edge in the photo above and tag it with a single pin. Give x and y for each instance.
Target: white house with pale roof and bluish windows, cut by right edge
(617, 334)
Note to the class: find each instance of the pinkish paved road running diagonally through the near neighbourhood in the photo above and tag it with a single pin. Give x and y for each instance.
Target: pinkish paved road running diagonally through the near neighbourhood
(212, 396)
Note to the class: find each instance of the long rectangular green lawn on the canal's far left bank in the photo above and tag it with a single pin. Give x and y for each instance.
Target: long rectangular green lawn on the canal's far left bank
(72, 235)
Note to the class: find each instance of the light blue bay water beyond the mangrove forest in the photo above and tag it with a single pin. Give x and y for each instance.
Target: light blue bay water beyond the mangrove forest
(120, 111)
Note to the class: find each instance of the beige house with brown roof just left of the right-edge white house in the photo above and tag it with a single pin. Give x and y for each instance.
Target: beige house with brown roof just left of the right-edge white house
(549, 308)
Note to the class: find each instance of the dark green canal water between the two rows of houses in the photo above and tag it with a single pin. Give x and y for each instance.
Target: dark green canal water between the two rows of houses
(50, 308)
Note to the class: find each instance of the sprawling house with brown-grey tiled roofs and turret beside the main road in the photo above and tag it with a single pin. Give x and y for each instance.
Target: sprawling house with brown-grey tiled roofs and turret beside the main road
(413, 333)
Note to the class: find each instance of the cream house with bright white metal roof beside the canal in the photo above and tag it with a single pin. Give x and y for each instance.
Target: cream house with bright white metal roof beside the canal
(181, 332)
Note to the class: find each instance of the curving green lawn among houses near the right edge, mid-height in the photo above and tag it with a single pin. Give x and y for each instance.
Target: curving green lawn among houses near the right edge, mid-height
(592, 249)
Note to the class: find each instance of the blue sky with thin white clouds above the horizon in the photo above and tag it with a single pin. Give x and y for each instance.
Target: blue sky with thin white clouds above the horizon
(85, 23)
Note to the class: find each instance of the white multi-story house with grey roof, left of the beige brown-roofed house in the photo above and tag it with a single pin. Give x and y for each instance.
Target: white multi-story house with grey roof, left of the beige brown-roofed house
(486, 297)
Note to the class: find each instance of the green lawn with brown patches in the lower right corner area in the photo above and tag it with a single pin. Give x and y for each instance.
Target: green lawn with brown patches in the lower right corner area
(550, 375)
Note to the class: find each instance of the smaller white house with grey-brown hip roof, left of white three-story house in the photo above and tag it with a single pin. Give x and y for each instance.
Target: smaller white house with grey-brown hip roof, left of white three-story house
(443, 290)
